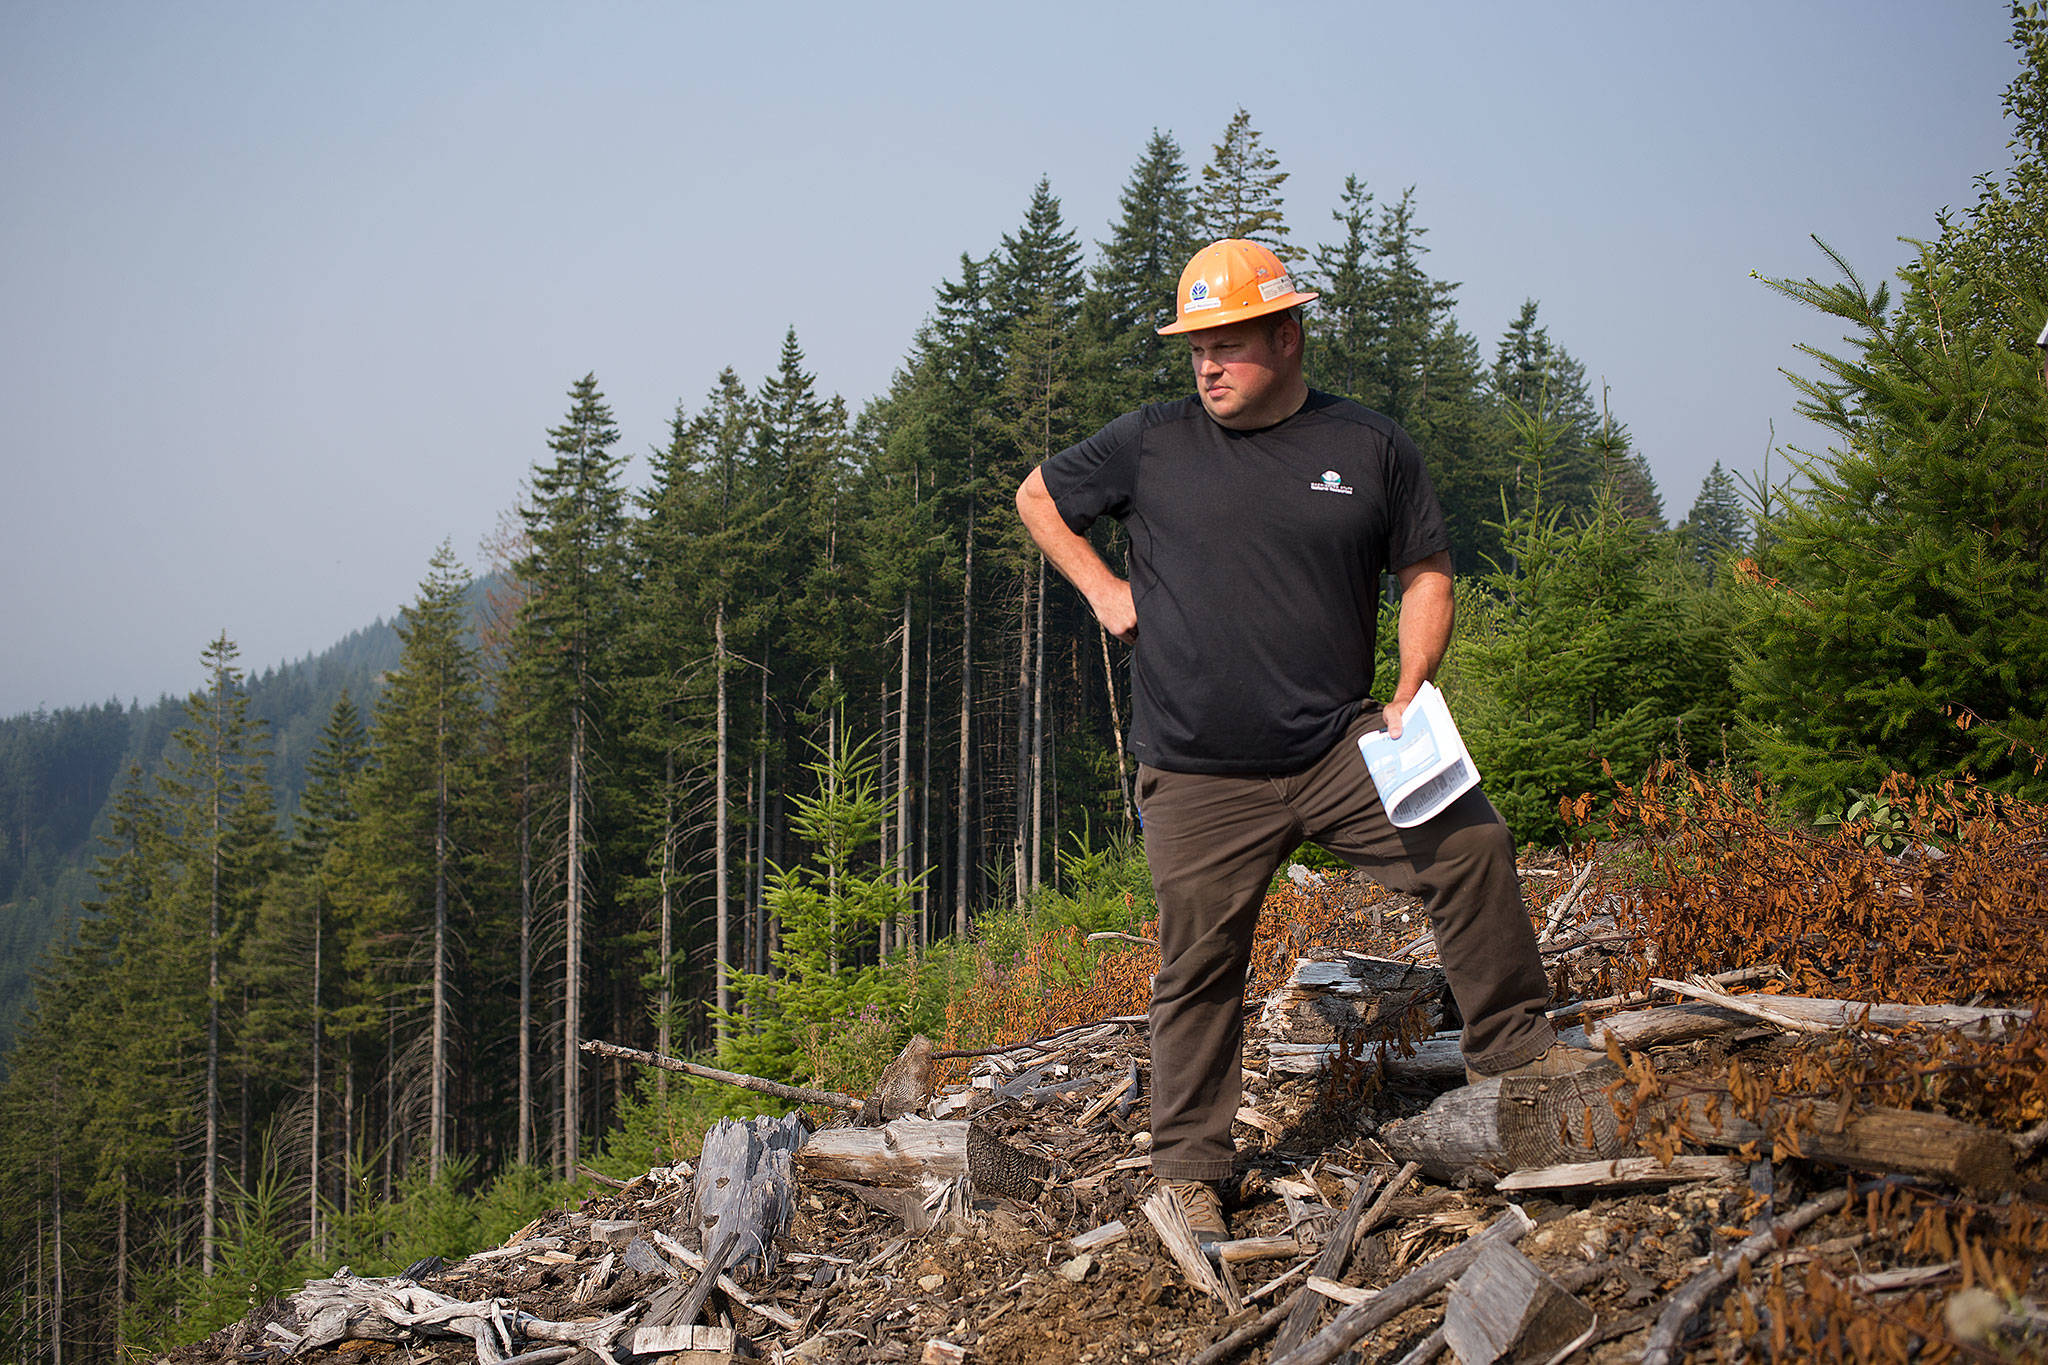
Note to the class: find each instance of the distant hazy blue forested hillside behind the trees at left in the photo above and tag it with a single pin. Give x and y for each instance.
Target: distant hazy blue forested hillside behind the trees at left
(60, 768)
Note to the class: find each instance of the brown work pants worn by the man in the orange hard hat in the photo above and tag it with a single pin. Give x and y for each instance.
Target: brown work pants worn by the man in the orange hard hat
(1213, 844)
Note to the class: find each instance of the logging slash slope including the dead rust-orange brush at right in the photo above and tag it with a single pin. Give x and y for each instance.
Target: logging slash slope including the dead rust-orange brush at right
(1820, 1137)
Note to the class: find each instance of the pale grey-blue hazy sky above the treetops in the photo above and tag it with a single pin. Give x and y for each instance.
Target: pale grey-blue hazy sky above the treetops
(290, 294)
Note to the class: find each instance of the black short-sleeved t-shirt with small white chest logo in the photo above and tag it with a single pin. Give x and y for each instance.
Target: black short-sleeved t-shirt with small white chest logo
(1256, 568)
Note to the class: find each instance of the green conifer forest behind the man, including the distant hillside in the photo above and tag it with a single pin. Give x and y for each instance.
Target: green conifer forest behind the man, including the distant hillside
(773, 756)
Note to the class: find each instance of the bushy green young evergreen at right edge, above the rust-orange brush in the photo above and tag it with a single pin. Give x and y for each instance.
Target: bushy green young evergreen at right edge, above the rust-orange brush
(1897, 617)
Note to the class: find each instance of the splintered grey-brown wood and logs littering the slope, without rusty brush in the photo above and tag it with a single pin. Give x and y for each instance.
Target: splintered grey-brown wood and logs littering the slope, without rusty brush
(1007, 1213)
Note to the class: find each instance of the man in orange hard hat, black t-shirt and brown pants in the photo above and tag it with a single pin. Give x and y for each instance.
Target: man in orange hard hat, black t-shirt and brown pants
(1261, 521)
